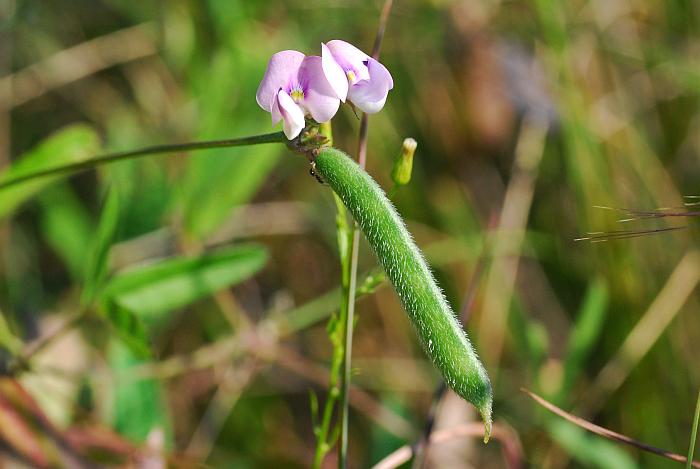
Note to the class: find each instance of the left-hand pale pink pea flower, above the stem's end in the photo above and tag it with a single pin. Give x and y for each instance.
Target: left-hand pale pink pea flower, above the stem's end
(294, 86)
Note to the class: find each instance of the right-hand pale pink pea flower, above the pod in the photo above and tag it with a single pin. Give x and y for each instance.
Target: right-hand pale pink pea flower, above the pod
(356, 76)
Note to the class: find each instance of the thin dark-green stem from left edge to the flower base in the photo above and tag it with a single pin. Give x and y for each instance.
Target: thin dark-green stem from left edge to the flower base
(276, 137)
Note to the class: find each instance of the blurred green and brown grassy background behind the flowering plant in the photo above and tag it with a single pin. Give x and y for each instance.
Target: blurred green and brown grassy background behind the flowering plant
(202, 283)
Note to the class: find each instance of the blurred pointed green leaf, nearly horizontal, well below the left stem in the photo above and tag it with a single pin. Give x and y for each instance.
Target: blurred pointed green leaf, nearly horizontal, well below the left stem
(156, 289)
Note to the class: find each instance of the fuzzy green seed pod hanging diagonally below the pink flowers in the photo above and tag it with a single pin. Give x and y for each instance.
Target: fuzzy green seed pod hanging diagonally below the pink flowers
(439, 330)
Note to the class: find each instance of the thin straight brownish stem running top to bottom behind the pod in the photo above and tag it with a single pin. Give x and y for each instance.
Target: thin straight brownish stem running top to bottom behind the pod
(354, 255)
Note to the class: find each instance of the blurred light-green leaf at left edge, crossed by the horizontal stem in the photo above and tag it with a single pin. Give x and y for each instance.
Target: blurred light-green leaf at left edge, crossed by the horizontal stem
(69, 145)
